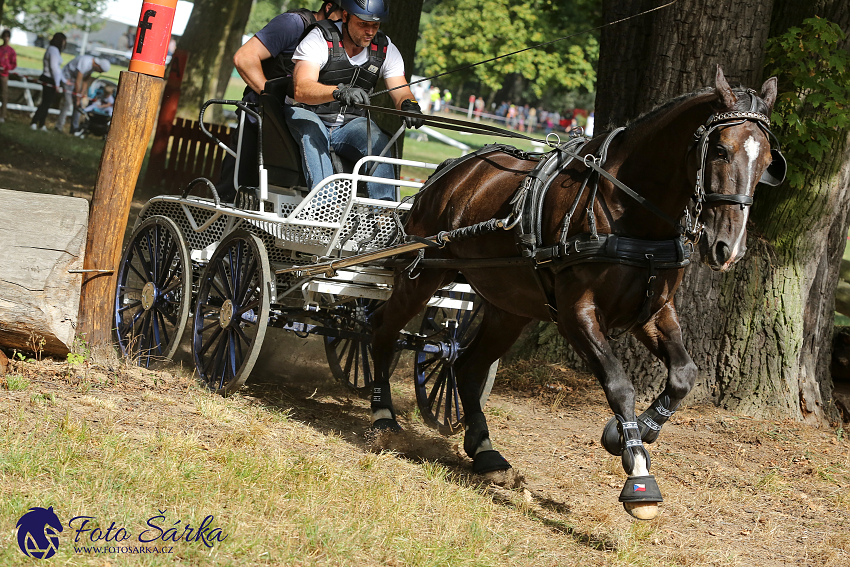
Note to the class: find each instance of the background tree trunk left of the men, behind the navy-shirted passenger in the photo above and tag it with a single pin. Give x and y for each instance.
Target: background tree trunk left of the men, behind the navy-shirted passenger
(213, 35)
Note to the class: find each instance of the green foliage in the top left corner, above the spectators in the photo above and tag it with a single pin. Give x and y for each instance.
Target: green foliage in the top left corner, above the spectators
(46, 17)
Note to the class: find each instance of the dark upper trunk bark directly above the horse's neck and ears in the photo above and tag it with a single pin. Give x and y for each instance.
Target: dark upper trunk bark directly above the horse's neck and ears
(652, 58)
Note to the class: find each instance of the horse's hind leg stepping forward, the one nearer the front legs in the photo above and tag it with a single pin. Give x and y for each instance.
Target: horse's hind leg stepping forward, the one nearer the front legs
(497, 332)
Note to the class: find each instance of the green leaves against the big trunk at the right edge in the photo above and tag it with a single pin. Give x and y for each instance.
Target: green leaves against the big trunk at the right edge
(811, 111)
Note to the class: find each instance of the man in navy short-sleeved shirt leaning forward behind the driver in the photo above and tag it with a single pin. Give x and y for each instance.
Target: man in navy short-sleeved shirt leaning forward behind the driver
(267, 56)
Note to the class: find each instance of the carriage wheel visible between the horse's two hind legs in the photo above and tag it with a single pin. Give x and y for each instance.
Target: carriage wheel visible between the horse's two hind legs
(434, 376)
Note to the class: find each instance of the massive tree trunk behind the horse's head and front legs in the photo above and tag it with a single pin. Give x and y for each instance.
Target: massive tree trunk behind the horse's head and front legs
(761, 333)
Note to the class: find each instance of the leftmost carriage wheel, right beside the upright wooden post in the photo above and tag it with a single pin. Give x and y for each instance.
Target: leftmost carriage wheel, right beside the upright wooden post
(153, 293)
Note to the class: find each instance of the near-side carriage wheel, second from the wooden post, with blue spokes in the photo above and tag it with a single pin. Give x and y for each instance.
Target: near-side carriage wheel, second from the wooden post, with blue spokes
(231, 312)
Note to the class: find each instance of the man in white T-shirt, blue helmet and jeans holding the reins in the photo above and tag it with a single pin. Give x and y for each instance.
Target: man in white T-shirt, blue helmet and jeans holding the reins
(336, 68)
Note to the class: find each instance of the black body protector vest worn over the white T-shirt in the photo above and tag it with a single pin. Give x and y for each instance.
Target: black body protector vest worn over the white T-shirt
(339, 70)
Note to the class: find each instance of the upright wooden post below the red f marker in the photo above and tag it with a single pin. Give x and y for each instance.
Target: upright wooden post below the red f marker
(136, 110)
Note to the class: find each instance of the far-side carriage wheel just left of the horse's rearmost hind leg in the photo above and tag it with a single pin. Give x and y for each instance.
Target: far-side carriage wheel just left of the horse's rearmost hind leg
(351, 360)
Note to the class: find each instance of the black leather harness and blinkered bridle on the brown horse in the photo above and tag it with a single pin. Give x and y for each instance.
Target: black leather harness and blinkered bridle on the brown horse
(526, 217)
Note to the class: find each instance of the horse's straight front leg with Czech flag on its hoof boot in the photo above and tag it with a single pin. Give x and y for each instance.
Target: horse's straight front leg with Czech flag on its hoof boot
(640, 495)
